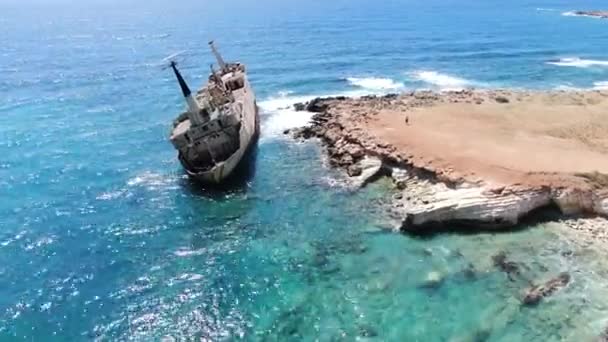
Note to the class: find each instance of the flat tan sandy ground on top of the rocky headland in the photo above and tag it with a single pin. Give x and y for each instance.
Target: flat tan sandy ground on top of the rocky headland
(536, 138)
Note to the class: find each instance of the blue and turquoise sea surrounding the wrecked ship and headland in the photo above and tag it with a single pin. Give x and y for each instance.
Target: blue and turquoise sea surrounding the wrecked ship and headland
(102, 237)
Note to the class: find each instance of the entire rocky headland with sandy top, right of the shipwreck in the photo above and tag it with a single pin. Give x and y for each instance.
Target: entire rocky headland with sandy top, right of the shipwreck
(474, 158)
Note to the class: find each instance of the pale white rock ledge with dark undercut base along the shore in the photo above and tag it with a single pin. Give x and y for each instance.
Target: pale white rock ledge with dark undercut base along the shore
(428, 206)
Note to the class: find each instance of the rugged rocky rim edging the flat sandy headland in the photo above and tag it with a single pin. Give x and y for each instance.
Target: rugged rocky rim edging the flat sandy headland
(435, 196)
